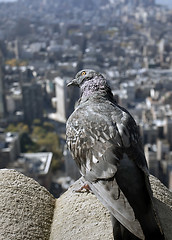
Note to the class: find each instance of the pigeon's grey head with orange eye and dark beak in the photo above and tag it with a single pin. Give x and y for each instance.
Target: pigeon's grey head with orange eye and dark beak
(83, 76)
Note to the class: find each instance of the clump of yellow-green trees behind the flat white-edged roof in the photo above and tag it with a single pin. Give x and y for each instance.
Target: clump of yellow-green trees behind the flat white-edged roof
(40, 138)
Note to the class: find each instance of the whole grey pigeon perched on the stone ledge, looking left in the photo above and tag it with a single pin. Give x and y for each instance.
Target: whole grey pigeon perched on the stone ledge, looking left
(105, 143)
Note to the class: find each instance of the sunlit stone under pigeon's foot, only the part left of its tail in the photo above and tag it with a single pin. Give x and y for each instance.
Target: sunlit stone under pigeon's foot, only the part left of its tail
(80, 216)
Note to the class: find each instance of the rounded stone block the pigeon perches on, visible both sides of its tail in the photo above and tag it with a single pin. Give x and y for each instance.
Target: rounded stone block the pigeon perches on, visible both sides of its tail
(82, 216)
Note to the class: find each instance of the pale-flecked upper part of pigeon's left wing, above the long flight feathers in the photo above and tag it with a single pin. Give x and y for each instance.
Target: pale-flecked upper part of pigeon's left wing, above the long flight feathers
(95, 143)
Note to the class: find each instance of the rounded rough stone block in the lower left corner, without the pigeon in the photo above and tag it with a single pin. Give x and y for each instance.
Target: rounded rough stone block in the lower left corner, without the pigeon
(26, 208)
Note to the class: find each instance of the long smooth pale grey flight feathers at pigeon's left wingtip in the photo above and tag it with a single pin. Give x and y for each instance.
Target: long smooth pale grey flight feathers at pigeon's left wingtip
(114, 200)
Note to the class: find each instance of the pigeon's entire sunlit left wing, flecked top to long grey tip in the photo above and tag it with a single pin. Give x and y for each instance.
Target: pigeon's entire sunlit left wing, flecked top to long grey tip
(95, 143)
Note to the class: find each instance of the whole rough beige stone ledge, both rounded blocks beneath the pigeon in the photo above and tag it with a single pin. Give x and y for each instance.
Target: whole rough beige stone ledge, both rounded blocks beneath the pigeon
(26, 211)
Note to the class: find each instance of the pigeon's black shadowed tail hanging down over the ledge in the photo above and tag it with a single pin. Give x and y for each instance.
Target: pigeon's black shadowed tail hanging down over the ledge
(138, 192)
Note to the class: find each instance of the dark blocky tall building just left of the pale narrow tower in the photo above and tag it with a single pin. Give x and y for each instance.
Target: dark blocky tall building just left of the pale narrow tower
(32, 102)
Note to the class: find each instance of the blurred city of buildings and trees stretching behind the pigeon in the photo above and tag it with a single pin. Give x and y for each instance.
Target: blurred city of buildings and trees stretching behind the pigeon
(43, 43)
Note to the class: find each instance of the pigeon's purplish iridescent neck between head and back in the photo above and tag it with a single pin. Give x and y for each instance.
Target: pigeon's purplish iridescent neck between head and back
(96, 85)
